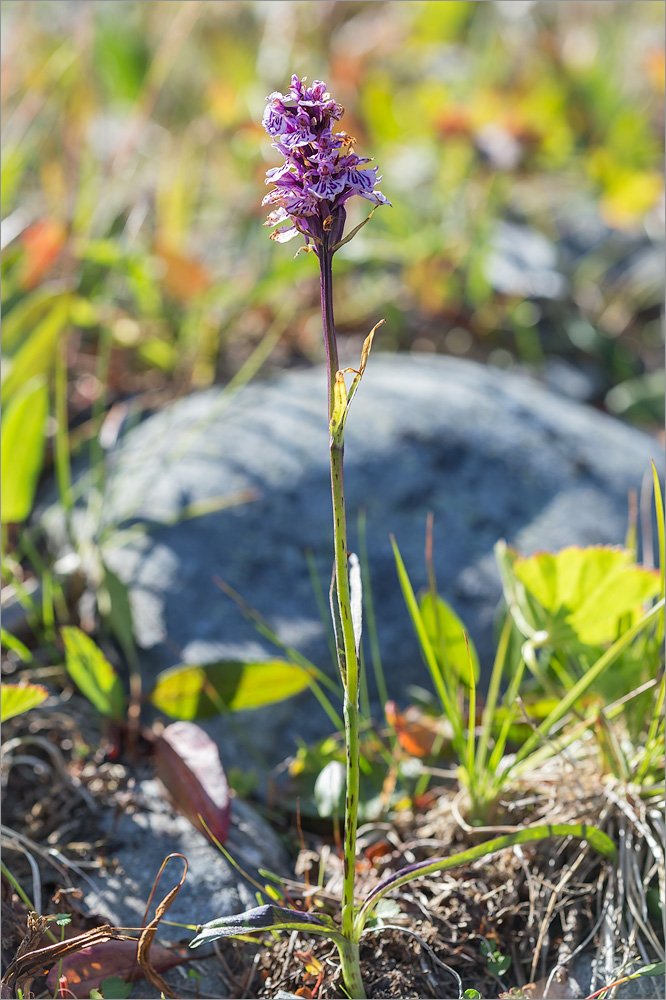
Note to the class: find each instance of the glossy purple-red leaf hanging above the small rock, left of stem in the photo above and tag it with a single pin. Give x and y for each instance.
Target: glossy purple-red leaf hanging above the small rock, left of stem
(188, 765)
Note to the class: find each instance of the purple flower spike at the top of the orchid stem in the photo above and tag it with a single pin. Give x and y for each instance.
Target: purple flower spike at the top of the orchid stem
(320, 172)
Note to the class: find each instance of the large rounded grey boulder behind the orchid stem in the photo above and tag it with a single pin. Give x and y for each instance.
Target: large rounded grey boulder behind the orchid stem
(492, 454)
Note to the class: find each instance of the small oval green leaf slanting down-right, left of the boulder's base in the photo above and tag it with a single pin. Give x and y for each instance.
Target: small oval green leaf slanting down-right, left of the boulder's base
(92, 673)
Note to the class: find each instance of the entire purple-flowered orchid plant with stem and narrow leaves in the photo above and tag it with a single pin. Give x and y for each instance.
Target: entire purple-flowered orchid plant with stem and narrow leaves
(320, 173)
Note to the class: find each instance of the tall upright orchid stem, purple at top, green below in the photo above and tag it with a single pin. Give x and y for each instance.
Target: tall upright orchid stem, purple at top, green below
(349, 669)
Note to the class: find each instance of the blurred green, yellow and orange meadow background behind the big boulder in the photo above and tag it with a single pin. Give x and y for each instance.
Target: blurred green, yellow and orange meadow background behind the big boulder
(521, 144)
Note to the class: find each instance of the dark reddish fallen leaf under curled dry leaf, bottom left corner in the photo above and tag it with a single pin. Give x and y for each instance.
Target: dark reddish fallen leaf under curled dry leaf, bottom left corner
(86, 969)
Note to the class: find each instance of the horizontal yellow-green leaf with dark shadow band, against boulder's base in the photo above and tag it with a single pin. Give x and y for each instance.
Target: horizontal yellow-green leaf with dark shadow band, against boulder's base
(199, 692)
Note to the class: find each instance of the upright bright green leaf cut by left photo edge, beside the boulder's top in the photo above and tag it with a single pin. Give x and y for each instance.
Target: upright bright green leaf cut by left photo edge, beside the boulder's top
(23, 438)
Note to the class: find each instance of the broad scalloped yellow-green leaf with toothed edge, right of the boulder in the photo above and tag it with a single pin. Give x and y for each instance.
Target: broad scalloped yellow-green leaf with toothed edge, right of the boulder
(583, 592)
